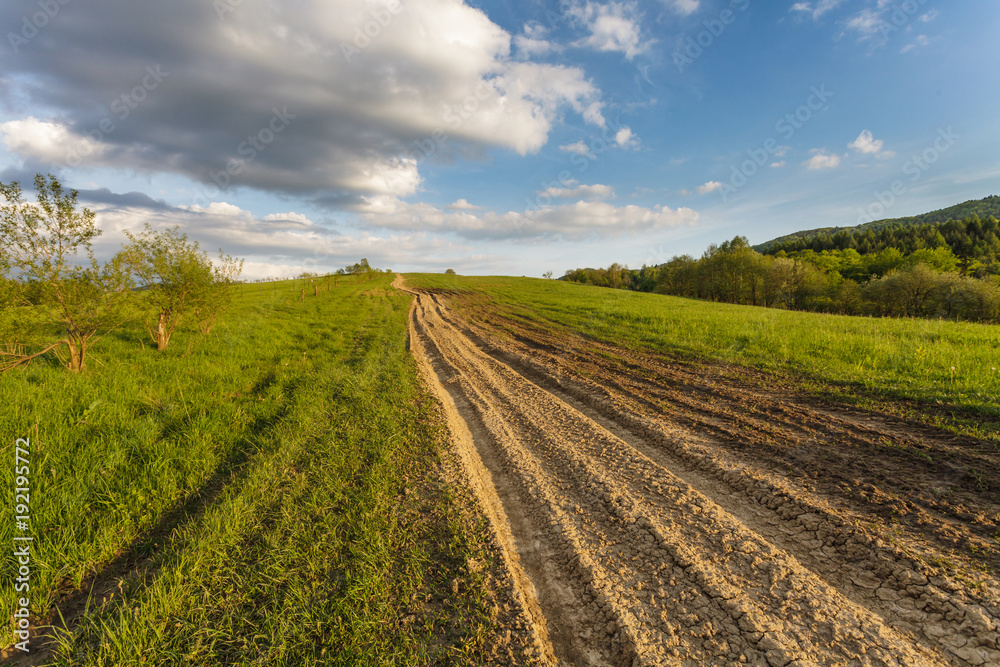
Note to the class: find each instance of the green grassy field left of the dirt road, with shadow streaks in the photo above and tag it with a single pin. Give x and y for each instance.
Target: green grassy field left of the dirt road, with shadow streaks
(265, 495)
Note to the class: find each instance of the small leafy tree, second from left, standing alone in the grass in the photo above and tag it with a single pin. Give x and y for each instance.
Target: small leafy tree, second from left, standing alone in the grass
(177, 279)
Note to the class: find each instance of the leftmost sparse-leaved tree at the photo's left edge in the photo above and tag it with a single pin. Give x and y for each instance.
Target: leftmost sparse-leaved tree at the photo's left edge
(41, 244)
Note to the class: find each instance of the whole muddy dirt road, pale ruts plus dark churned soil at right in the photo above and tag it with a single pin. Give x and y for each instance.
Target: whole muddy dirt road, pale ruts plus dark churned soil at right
(654, 515)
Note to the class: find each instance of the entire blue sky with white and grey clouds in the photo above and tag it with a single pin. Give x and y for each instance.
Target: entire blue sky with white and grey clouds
(498, 137)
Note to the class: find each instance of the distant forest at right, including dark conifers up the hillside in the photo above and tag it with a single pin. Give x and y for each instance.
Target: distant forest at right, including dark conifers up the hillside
(903, 268)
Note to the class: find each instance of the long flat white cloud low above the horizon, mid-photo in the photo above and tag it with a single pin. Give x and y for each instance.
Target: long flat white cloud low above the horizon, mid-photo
(579, 220)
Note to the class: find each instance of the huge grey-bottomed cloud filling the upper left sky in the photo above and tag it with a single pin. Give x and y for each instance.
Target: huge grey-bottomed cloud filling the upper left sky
(355, 113)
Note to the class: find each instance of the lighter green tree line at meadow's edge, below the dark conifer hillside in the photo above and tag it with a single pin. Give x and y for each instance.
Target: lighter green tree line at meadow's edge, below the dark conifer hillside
(927, 282)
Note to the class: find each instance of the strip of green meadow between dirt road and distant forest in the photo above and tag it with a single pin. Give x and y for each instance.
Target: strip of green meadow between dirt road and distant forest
(932, 362)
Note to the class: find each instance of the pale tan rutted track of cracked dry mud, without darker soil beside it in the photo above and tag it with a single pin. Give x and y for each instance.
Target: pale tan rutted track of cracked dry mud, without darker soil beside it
(629, 550)
